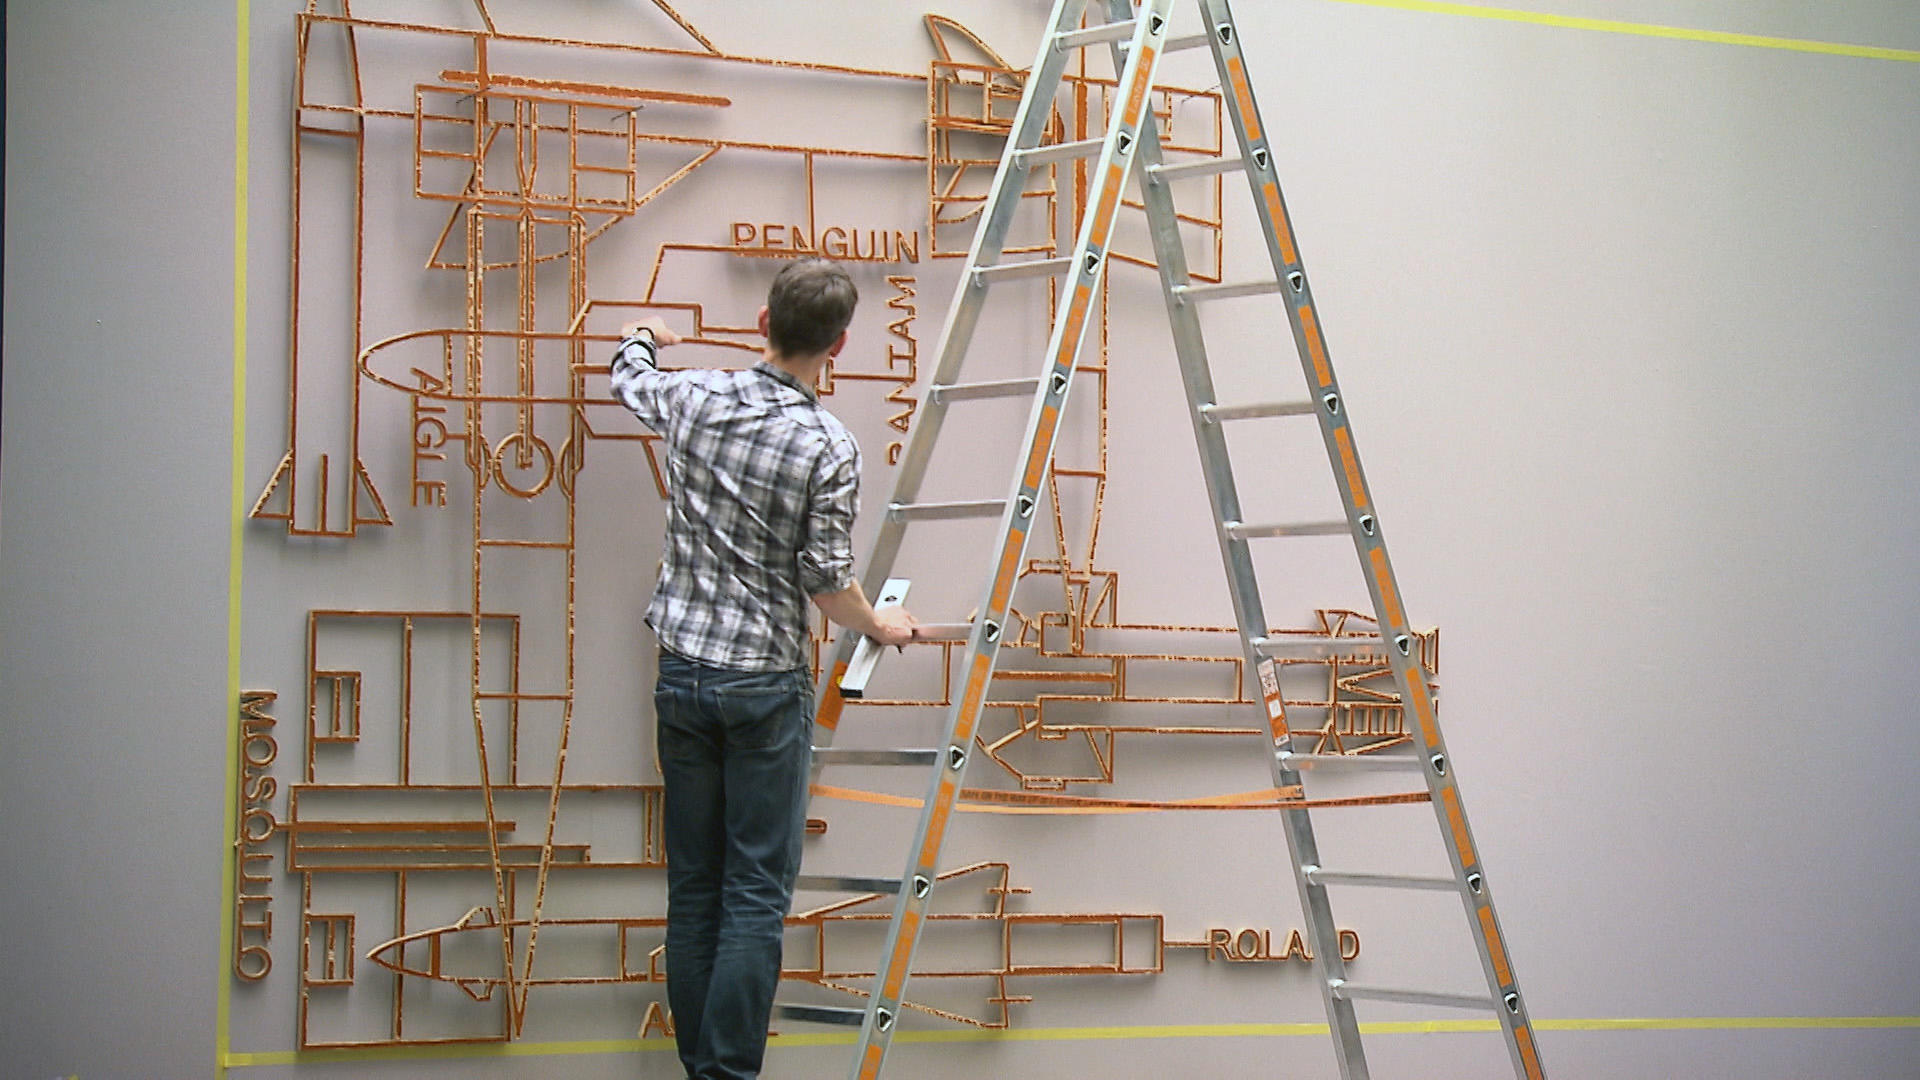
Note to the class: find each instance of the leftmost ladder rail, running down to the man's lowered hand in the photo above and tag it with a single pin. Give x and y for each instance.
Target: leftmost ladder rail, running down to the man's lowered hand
(957, 333)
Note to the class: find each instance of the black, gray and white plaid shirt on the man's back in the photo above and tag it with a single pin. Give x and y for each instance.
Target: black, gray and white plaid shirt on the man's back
(765, 485)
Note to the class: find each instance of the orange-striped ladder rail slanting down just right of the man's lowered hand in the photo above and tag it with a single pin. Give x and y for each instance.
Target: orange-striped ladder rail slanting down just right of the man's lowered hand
(1017, 522)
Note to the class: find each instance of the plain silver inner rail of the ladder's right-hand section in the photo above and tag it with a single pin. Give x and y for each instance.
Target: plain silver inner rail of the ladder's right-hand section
(1243, 585)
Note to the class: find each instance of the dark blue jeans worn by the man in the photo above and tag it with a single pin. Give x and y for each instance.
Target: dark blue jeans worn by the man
(736, 749)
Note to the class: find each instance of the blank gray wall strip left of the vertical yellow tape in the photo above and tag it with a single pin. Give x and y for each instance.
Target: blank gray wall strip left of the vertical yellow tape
(114, 541)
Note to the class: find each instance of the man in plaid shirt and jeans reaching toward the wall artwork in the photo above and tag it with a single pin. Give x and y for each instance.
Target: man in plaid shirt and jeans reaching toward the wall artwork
(765, 489)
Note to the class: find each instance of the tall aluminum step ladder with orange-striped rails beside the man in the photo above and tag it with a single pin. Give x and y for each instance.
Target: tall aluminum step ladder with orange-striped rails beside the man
(1140, 37)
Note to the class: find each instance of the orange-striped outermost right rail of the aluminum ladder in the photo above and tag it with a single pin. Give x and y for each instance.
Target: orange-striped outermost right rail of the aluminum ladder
(1368, 539)
